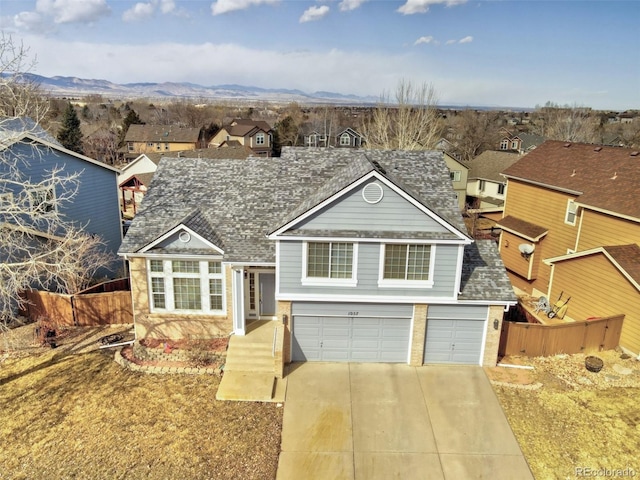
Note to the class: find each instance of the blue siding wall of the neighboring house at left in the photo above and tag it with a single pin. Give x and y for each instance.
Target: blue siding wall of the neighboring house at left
(95, 207)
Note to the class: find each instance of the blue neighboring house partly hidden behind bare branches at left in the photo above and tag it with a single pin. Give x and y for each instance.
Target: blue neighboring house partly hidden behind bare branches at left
(94, 207)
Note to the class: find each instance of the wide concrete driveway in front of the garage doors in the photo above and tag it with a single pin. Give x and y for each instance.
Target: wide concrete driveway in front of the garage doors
(387, 421)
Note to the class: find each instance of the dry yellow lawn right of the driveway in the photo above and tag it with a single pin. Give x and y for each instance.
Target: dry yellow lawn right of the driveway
(566, 417)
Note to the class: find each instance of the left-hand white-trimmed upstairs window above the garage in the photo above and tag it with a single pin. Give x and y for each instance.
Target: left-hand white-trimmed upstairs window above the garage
(328, 263)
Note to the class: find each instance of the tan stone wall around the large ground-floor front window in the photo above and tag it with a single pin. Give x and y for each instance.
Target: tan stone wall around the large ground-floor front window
(171, 325)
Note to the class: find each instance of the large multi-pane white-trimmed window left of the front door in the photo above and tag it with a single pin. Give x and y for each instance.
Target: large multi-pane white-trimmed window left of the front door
(185, 285)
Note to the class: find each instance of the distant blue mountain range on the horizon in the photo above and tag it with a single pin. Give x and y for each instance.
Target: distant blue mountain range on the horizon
(78, 87)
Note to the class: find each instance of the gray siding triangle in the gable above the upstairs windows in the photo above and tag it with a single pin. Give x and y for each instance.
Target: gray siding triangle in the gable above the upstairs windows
(393, 213)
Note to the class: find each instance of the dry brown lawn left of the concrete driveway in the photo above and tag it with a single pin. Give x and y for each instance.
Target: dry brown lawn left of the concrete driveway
(81, 415)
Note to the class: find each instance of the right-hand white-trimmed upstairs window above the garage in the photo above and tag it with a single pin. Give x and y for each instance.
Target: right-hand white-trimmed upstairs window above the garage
(406, 265)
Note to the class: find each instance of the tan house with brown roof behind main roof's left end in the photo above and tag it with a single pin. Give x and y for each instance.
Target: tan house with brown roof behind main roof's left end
(159, 138)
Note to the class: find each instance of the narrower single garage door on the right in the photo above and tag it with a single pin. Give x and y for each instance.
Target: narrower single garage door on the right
(455, 334)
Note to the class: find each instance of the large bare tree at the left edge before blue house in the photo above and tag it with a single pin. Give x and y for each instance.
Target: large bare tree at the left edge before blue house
(38, 246)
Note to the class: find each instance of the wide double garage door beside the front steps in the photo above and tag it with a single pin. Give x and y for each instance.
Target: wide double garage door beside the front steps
(350, 332)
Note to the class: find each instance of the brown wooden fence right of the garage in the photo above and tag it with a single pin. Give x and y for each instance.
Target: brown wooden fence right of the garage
(534, 339)
